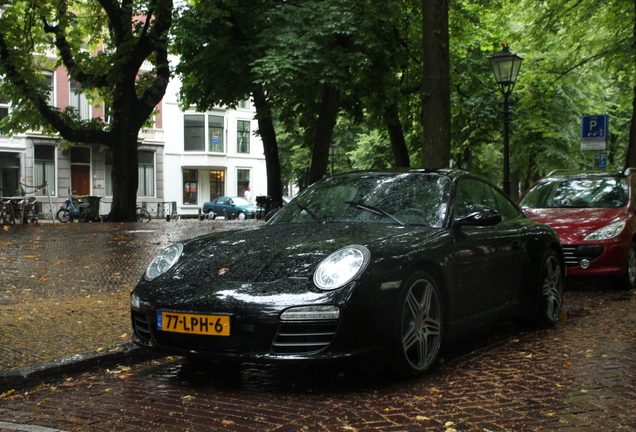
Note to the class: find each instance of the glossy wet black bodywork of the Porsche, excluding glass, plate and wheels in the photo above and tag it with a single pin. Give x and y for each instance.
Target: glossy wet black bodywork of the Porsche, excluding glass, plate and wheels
(264, 280)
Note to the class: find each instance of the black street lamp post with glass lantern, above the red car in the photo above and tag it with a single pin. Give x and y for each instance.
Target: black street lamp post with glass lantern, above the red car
(505, 65)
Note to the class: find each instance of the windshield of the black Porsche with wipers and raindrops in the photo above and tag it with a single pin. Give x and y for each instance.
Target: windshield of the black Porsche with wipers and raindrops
(411, 198)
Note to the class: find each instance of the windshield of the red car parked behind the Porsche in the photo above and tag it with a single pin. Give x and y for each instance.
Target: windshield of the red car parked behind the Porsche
(609, 192)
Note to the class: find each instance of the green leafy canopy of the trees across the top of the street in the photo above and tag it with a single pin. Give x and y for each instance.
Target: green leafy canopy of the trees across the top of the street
(579, 59)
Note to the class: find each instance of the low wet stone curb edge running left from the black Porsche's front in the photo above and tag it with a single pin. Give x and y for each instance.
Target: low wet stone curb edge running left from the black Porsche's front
(29, 376)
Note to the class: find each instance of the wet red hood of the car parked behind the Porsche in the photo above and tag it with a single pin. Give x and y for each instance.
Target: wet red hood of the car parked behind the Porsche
(574, 224)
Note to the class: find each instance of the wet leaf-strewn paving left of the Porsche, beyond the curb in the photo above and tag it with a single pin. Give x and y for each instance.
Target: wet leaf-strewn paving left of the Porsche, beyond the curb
(64, 288)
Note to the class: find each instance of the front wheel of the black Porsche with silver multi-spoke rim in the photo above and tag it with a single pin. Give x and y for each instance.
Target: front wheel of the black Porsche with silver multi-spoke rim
(418, 328)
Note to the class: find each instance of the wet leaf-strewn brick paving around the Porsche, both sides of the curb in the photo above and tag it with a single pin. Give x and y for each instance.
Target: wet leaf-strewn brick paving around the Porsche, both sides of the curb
(64, 290)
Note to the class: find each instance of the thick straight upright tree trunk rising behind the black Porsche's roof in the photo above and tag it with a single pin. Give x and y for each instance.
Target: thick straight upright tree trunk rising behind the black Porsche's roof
(435, 85)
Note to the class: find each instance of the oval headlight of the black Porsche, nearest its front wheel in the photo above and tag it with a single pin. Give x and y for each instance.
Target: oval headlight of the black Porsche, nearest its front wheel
(341, 267)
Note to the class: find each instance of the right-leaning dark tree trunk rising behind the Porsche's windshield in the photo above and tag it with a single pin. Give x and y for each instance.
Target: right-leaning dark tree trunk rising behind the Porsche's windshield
(324, 132)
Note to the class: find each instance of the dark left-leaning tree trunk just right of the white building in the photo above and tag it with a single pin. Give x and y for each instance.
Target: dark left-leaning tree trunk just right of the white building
(270, 146)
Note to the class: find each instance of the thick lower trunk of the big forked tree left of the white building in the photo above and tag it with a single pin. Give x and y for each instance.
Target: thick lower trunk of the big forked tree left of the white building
(125, 177)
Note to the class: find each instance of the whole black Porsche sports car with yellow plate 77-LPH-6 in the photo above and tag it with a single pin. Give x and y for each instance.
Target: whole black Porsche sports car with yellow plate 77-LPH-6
(381, 266)
